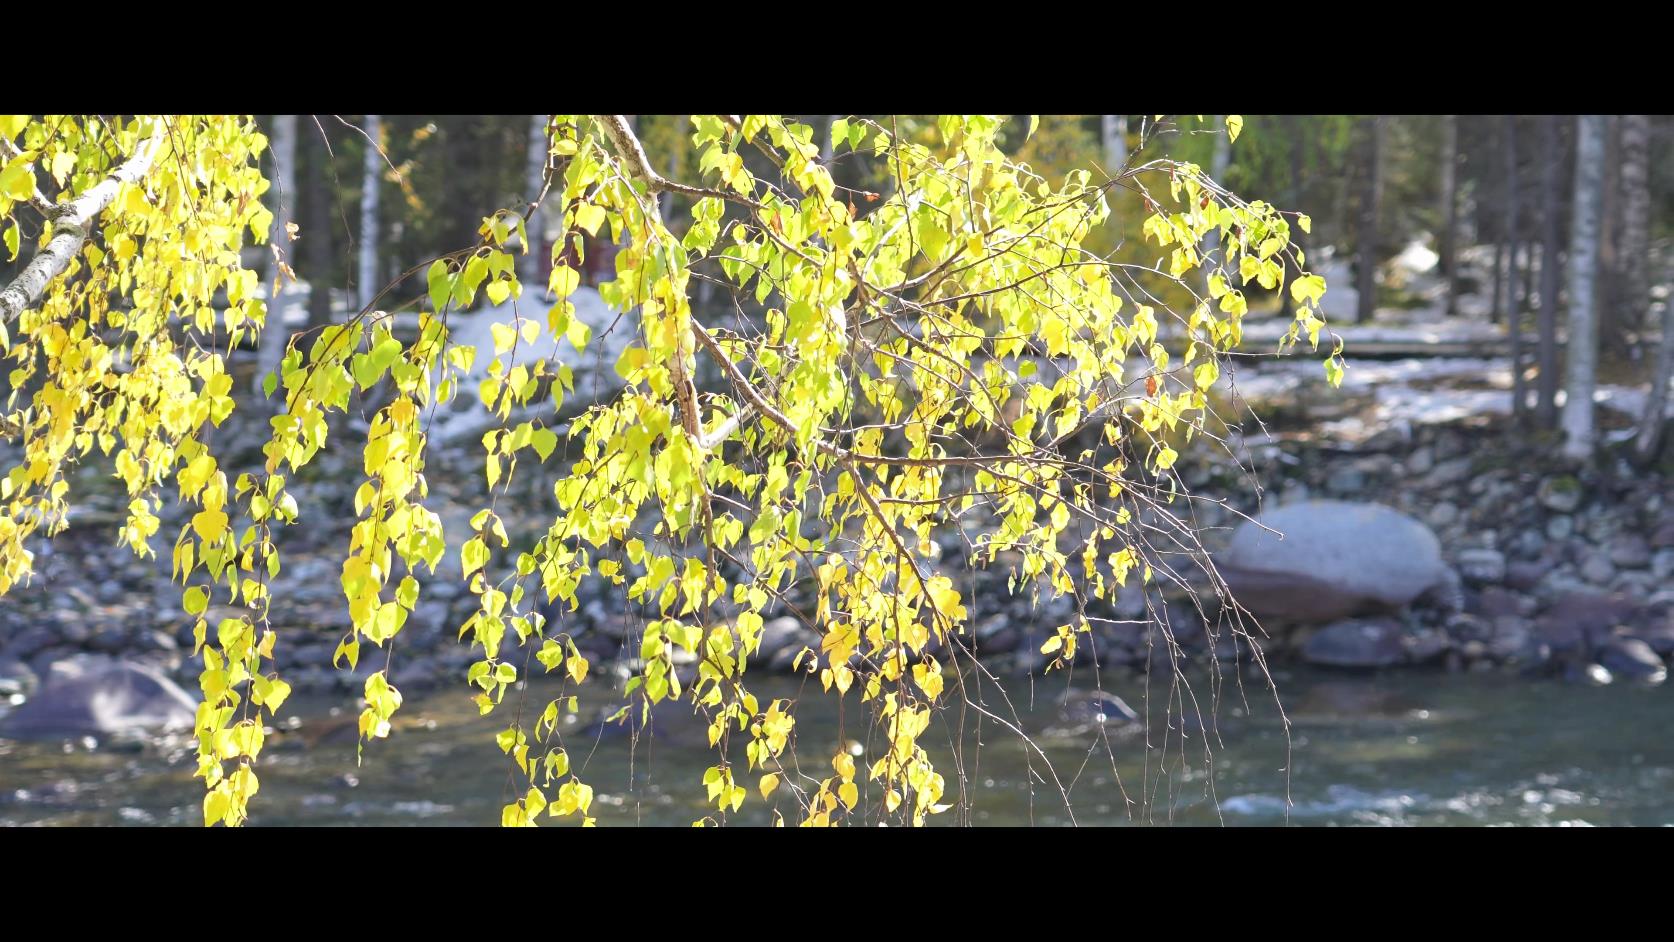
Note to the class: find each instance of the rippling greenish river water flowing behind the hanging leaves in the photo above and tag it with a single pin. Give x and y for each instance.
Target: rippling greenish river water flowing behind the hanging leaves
(1404, 749)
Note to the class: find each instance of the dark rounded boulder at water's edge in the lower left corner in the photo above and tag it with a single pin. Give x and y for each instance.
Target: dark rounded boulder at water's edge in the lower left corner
(113, 700)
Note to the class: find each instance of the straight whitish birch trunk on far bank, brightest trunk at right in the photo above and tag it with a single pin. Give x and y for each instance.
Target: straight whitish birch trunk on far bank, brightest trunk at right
(1583, 356)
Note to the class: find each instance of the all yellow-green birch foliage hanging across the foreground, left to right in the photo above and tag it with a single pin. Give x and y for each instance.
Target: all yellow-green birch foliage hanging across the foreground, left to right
(922, 357)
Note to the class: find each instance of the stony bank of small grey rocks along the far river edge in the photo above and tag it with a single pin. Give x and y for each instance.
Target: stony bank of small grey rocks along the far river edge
(1561, 573)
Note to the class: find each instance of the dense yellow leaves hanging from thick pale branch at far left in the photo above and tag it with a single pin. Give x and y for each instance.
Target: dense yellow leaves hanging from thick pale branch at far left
(125, 356)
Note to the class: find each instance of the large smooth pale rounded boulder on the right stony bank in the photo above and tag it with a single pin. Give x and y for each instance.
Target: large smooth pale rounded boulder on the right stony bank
(1328, 560)
